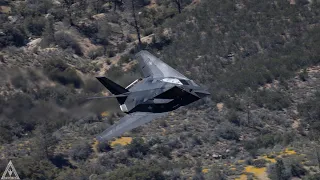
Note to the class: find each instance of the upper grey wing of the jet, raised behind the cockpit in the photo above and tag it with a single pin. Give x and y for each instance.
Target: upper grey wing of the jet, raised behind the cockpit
(152, 66)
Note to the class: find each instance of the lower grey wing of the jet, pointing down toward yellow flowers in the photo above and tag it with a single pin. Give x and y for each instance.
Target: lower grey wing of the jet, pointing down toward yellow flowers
(127, 123)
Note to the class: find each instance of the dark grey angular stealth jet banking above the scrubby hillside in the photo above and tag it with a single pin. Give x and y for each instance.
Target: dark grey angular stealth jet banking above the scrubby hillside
(162, 89)
